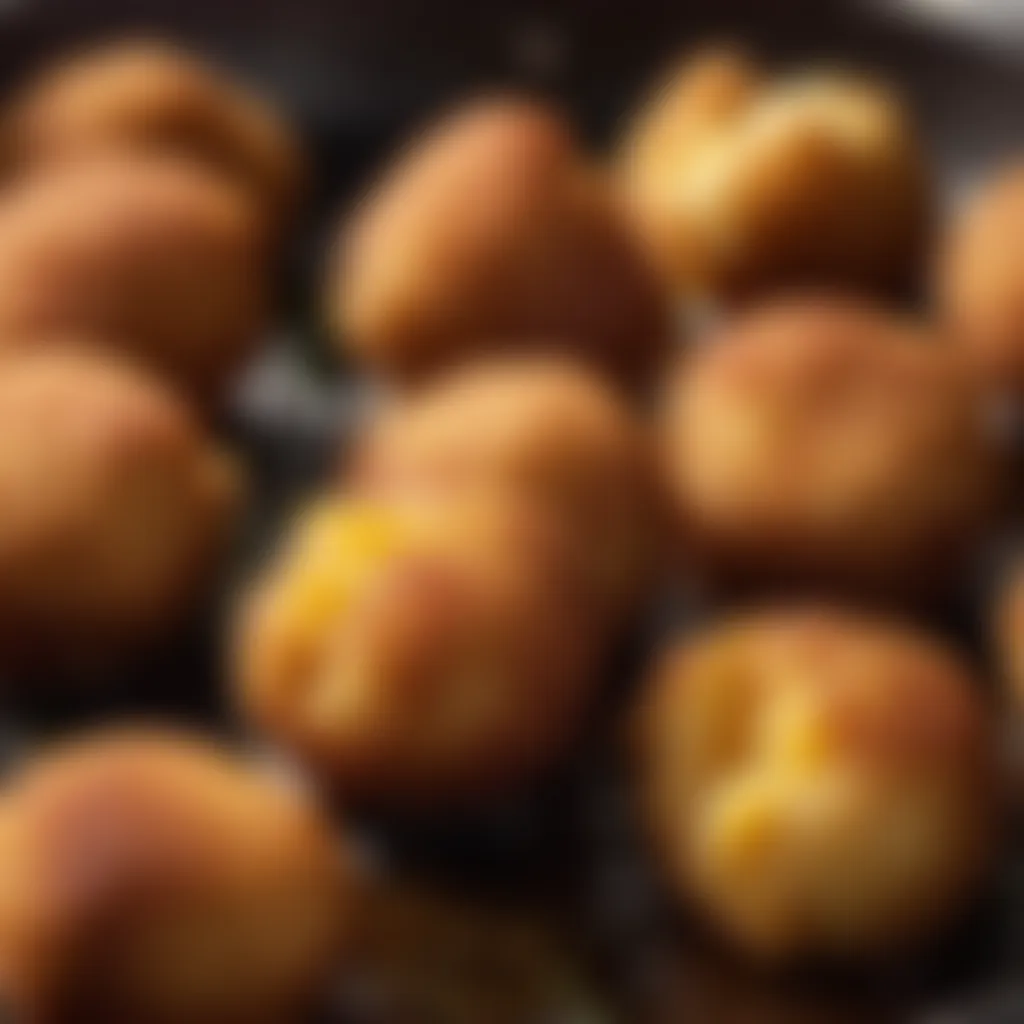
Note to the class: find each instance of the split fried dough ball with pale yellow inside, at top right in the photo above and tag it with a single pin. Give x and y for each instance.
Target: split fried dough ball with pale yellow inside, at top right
(747, 184)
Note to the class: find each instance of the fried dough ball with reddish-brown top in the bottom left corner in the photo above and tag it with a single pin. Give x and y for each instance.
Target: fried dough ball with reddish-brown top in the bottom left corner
(152, 877)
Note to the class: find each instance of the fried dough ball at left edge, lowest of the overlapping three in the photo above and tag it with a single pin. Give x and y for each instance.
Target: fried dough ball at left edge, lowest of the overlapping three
(113, 505)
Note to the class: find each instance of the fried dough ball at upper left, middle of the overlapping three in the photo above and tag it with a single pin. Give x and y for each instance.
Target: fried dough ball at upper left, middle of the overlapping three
(159, 259)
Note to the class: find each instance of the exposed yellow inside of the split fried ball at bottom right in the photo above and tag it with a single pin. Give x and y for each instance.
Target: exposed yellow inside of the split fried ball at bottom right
(792, 838)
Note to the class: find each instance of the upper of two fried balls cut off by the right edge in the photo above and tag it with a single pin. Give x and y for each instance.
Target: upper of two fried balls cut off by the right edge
(980, 282)
